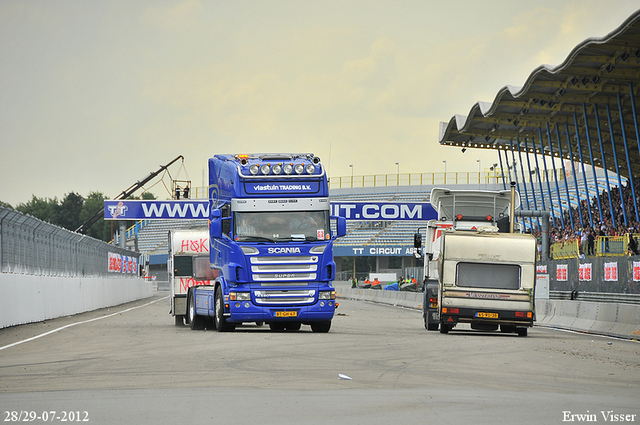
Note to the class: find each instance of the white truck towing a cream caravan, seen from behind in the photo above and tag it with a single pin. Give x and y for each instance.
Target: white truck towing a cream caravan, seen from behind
(478, 271)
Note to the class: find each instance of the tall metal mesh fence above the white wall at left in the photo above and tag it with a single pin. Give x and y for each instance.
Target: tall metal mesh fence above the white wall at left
(31, 246)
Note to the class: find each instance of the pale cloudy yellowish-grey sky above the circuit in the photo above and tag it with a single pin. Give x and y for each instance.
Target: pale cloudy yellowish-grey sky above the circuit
(96, 95)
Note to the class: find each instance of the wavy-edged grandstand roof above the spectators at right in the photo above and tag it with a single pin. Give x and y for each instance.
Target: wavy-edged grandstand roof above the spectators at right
(600, 77)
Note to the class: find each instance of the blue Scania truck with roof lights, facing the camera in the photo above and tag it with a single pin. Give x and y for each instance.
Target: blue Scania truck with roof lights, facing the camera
(271, 245)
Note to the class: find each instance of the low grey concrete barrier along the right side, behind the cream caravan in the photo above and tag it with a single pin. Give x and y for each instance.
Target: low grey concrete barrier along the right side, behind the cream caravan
(610, 319)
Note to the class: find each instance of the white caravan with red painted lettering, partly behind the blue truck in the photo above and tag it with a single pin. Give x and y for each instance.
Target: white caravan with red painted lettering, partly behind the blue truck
(188, 265)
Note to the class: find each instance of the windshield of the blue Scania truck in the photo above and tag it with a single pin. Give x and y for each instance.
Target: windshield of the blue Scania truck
(282, 225)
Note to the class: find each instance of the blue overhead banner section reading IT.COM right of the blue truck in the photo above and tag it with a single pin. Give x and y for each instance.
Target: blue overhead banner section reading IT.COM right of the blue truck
(384, 211)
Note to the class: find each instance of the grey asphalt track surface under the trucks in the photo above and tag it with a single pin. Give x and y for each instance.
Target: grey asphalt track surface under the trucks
(131, 364)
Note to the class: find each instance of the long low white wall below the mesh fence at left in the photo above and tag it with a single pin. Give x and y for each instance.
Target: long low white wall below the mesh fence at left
(29, 298)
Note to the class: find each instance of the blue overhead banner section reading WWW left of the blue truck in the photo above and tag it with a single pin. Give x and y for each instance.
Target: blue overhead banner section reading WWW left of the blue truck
(149, 210)
